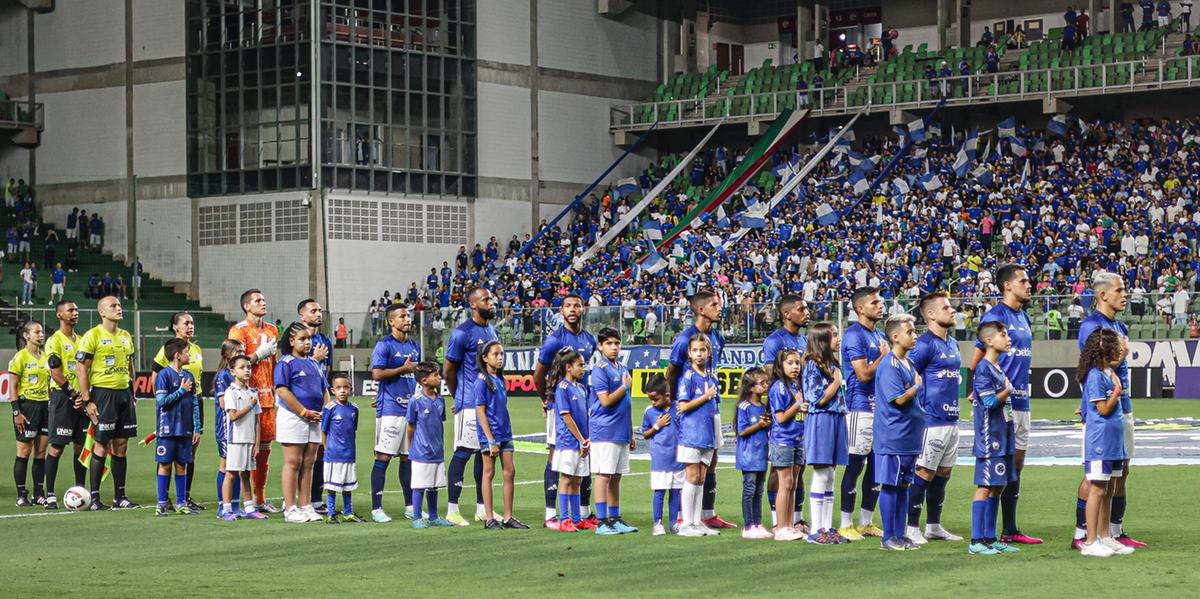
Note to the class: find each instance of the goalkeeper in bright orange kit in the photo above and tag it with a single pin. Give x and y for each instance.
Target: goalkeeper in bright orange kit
(260, 338)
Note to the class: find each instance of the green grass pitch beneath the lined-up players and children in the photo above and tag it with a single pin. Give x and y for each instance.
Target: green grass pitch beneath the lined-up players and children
(133, 554)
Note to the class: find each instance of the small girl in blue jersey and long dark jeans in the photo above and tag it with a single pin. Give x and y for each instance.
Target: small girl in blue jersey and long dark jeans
(753, 423)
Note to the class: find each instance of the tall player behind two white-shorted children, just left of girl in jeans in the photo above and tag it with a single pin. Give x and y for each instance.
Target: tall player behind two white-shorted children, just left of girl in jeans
(707, 309)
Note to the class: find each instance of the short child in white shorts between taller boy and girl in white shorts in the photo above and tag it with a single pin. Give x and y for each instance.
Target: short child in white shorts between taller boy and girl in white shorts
(667, 474)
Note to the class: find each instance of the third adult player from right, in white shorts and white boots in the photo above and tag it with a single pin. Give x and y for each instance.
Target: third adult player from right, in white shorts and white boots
(937, 360)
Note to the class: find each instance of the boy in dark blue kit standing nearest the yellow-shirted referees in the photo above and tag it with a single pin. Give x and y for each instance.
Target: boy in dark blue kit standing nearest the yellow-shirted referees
(179, 426)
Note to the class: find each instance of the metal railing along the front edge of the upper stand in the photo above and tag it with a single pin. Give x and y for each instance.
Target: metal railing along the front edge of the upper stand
(1150, 74)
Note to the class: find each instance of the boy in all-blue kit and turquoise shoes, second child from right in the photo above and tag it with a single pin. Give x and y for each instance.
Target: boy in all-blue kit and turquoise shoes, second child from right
(994, 446)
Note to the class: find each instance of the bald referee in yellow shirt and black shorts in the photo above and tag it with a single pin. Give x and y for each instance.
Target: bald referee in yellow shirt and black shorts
(105, 372)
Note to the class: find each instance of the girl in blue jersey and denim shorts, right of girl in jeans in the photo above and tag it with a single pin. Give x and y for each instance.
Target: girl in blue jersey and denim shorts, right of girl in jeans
(787, 440)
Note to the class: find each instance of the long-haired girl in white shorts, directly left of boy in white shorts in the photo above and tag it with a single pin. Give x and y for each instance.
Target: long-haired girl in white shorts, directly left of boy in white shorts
(573, 441)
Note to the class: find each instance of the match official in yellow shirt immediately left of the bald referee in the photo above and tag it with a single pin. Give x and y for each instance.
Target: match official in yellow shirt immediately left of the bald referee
(68, 424)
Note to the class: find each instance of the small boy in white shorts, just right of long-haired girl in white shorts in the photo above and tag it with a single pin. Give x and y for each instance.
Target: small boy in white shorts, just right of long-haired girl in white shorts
(339, 424)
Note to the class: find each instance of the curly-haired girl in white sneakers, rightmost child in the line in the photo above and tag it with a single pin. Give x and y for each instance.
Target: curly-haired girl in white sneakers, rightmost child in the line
(1105, 451)
